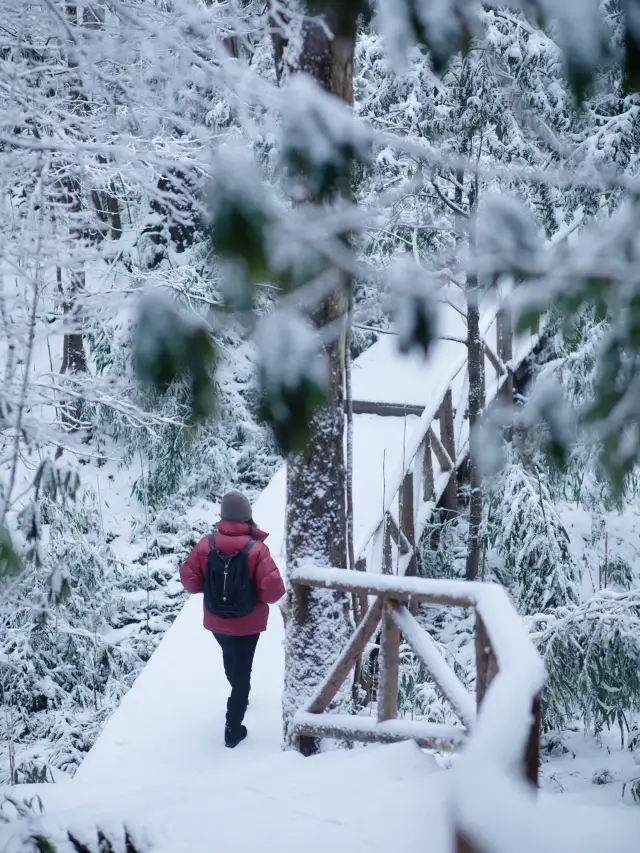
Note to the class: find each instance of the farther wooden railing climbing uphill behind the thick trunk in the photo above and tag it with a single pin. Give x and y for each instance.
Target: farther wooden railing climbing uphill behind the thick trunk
(435, 449)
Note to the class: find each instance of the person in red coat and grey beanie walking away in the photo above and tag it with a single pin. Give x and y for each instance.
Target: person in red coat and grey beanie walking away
(237, 637)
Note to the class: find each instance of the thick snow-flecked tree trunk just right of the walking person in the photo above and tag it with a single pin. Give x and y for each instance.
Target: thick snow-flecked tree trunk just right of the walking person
(319, 621)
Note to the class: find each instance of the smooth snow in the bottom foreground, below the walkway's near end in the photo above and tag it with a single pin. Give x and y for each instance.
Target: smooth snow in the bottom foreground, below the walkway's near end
(374, 800)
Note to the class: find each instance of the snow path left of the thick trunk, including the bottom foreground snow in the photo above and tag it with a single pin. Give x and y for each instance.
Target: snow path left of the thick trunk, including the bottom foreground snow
(161, 769)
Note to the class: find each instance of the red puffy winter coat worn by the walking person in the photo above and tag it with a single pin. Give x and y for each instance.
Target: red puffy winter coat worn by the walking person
(233, 536)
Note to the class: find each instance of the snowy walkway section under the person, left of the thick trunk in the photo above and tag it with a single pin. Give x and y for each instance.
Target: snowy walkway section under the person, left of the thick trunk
(171, 721)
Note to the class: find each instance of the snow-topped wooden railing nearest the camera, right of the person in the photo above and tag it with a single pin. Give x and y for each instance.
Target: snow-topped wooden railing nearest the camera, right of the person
(504, 737)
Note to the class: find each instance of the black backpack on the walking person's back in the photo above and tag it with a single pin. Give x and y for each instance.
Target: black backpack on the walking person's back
(228, 588)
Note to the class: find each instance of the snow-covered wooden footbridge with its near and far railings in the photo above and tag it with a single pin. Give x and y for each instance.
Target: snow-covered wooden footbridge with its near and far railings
(411, 435)
